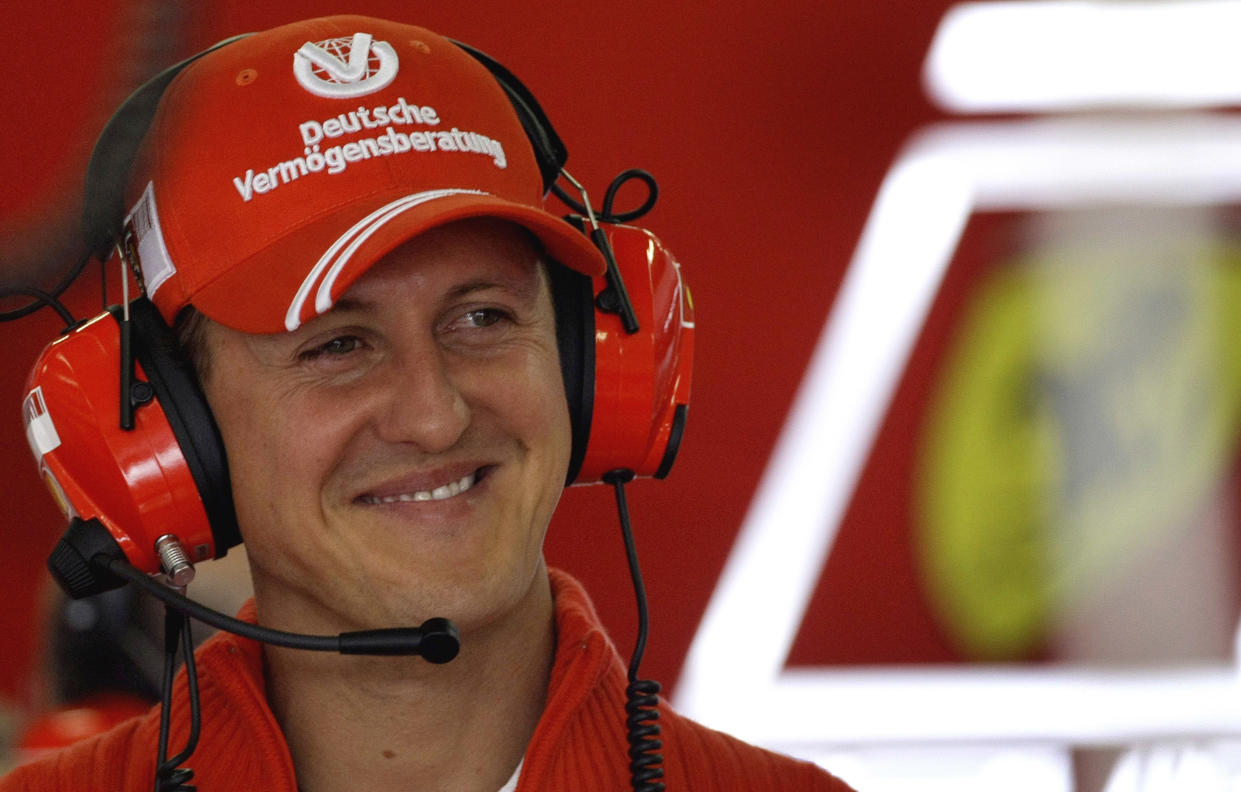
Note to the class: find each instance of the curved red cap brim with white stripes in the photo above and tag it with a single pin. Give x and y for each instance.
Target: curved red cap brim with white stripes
(302, 274)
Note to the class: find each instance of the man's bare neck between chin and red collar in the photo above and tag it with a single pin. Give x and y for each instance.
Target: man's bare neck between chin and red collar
(400, 723)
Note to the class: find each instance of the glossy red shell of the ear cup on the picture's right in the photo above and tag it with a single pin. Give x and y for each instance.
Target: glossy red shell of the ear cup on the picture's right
(641, 380)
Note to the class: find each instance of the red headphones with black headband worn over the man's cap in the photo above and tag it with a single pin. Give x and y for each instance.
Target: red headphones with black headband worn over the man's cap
(626, 346)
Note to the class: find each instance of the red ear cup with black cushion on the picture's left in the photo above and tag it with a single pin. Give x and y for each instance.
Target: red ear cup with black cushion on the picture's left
(166, 476)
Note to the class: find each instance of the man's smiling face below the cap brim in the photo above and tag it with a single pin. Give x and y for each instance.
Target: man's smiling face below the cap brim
(401, 456)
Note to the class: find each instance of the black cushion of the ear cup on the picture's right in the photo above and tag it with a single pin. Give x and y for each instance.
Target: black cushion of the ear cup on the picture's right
(574, 299)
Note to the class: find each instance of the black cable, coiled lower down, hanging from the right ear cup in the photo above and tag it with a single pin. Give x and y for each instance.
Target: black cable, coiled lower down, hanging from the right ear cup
(642, 696)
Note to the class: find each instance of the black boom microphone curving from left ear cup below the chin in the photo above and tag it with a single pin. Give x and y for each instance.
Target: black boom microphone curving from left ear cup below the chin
(89, 560)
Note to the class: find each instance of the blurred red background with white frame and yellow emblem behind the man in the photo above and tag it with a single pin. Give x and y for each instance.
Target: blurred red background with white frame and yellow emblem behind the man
(957, 507)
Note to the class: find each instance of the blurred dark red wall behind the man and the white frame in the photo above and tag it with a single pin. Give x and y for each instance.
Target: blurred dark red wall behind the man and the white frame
(769, 127)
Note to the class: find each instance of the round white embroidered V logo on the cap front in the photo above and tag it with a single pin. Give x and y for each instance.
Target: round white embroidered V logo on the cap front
(341, 69)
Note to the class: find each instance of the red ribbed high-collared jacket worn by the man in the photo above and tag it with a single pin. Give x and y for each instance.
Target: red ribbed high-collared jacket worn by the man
(579, 745)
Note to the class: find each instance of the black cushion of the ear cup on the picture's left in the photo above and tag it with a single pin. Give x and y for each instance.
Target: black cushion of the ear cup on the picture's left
(177, 388)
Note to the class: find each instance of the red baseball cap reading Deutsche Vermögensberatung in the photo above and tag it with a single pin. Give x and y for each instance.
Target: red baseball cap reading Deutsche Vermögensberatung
(281, 167)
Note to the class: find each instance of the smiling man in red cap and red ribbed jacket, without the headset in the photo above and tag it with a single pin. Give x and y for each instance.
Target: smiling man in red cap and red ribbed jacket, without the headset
(344, 220)
